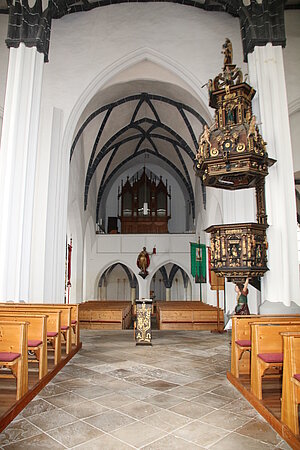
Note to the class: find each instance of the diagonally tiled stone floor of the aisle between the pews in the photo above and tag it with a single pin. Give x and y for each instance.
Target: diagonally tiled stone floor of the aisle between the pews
(115, 395)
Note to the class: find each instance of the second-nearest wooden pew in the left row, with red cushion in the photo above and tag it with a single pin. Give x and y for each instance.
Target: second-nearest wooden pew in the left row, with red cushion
(37, 336)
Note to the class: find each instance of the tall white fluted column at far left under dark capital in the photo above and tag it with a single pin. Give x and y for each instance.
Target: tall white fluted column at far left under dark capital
(17, 170)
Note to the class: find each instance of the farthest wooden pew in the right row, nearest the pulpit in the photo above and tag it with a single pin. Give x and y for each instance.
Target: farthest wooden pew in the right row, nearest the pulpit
(241, 339)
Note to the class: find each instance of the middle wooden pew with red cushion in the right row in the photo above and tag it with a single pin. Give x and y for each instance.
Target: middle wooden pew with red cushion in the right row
(267, 350)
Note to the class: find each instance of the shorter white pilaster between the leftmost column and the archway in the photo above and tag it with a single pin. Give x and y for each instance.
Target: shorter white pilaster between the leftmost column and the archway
(50, 210)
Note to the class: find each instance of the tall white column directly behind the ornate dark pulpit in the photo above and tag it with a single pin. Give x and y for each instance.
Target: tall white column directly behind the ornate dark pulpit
(266, 71)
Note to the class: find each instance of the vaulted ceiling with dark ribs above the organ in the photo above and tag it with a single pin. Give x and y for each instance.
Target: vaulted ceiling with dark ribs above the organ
(134, 119)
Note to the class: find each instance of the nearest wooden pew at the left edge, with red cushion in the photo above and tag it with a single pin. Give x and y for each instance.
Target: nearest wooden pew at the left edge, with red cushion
(14, 353)
